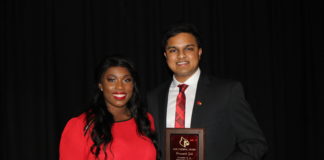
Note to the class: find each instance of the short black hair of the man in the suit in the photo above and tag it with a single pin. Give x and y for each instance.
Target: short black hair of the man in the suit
(181, 28)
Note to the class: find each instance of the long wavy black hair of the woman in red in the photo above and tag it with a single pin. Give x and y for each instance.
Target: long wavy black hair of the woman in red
(99, 120)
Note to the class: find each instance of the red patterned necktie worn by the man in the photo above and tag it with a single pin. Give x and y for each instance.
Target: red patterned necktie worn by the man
(181, 107)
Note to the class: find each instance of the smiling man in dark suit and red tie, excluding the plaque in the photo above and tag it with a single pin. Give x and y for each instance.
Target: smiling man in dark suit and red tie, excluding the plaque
(218, 106)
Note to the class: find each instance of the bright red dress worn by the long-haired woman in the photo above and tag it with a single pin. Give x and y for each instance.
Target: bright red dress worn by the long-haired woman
(127, 143)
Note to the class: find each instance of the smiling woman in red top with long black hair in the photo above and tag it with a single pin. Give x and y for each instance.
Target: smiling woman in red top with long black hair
(116, 126)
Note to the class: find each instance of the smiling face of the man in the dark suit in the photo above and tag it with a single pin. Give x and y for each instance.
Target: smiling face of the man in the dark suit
(182, 54)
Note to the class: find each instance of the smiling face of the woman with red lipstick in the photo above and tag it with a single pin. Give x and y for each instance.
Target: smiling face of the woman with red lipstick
(117, 86)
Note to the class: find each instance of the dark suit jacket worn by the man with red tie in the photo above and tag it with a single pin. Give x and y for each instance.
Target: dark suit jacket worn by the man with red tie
(231, 131)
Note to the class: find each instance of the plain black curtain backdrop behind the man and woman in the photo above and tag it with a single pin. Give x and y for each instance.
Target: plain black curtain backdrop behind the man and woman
(50, 47)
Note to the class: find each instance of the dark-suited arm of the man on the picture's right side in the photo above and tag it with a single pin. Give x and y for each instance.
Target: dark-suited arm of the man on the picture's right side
(250, 142)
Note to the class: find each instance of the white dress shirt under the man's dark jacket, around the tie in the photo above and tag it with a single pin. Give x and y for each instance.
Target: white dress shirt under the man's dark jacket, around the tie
(190, 93)
